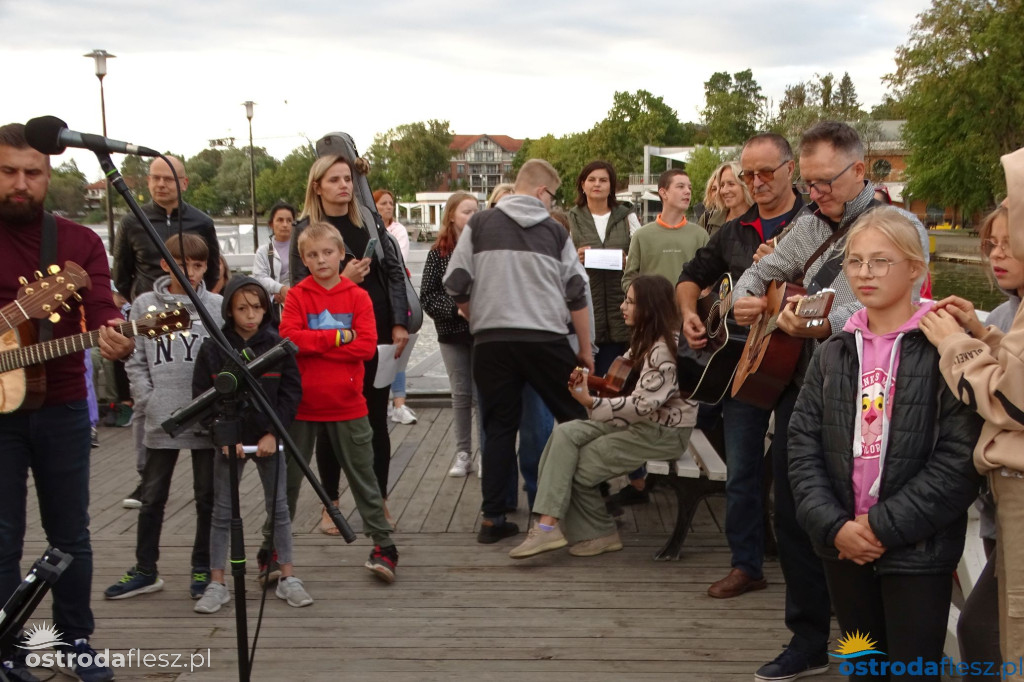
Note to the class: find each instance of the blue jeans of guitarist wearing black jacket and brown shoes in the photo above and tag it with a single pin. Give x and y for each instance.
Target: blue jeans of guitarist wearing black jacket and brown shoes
(745, 449)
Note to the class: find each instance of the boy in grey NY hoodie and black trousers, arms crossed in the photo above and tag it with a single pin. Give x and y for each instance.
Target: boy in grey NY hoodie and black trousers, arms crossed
(161, 373)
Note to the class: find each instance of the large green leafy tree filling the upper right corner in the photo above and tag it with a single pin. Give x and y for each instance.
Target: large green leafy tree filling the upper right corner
(959, 82)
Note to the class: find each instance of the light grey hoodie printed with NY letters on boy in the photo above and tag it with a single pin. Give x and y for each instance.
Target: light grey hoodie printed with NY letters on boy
(161, 370)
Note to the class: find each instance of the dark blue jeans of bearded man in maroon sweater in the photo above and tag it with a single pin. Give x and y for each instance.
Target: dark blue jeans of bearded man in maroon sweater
(54, 442)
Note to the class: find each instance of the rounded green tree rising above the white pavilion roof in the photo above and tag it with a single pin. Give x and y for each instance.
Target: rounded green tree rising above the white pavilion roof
(734, 107)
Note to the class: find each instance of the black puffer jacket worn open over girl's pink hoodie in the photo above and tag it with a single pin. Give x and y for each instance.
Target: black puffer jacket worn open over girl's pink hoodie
(928, 480)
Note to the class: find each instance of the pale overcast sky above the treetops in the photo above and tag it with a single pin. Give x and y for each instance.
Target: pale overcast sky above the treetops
(522, 69)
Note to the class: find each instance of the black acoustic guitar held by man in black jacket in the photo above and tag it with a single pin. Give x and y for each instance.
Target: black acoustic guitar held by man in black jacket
(706, 374)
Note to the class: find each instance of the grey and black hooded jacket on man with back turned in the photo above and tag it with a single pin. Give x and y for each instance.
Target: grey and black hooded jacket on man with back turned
(519, 270)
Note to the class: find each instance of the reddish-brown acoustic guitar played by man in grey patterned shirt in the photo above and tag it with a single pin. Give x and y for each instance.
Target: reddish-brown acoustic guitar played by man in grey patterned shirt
(771, 356)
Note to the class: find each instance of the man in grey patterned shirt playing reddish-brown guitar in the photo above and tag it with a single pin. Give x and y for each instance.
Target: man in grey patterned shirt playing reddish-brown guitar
(832, 164)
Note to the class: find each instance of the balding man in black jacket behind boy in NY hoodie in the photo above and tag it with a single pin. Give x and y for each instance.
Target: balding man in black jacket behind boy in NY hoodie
(137, 261)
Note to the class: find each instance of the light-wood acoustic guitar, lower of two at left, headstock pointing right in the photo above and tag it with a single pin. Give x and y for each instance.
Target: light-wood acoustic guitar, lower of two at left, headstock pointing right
(23, 378)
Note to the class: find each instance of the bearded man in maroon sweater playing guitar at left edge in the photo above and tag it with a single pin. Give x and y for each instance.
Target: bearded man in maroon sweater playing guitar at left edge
(53, 441)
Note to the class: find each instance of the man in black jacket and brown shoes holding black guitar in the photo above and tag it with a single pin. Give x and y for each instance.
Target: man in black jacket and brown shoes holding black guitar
(767, 169)
